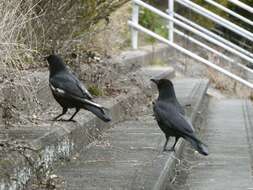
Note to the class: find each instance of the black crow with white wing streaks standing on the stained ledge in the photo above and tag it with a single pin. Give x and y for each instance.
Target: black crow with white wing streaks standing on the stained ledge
(69, 92)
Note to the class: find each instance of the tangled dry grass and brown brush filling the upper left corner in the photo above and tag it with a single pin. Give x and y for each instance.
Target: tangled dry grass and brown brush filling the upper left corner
(32, 28)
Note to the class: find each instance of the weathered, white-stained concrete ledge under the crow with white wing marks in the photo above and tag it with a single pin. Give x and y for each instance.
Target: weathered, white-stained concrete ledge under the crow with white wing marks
(60, 140)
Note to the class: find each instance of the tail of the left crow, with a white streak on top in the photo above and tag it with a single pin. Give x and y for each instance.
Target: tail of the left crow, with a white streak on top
(98, 110)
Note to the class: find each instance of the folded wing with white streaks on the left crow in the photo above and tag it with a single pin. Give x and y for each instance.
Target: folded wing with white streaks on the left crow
(68, 84)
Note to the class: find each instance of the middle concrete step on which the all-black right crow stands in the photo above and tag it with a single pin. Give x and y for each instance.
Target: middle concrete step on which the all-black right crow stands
(129, 155)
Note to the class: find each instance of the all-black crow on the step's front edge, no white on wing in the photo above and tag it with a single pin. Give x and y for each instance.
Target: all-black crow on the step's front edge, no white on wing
(170, 119)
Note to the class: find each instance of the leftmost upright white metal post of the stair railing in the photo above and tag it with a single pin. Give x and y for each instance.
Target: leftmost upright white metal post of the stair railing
(135, 19)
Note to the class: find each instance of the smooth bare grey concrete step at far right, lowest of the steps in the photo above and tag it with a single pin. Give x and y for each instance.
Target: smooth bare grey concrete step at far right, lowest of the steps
(228, 134)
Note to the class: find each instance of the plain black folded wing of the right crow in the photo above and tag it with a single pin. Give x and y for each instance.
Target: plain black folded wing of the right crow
(169, 115)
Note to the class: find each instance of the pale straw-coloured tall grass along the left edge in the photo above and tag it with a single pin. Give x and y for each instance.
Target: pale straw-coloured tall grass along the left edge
(18, 49)
